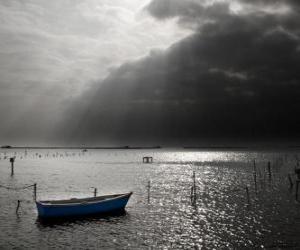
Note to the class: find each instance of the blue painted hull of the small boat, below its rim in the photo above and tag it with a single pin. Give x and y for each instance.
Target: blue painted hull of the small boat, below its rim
(83, 208)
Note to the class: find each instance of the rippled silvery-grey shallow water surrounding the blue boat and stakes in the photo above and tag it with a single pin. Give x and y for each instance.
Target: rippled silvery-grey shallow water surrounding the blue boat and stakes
(220, 219)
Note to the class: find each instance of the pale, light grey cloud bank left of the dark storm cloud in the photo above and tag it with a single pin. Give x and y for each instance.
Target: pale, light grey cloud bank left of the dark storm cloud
(52, 51)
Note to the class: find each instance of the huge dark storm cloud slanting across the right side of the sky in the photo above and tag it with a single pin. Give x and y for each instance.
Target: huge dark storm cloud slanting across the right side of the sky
(236, 76)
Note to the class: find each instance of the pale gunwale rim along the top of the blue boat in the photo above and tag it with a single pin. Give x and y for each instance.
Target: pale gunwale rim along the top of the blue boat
(82, 201)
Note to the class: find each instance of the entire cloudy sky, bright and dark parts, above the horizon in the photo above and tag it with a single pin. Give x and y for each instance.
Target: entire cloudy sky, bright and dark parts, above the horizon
(159, 72)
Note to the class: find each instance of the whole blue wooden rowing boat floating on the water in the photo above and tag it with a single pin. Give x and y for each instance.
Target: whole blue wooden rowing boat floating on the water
(82, 207)
